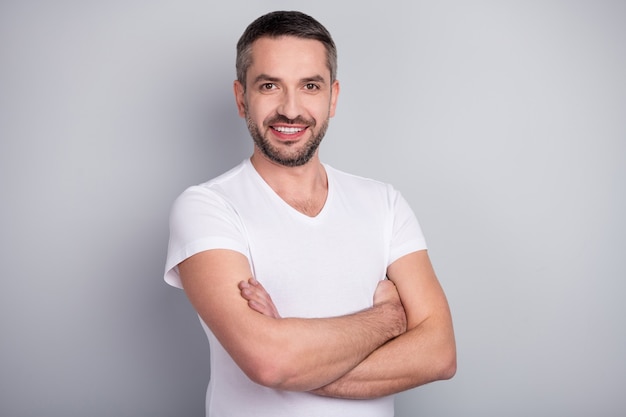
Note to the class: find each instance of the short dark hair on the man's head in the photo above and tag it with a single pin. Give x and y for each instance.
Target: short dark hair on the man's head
(283, 23)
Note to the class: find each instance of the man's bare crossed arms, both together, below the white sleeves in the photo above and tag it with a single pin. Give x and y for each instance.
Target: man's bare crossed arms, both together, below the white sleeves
(403, 341)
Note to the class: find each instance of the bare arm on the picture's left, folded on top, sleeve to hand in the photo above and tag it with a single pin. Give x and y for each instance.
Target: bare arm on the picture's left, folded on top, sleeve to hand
(290, 353)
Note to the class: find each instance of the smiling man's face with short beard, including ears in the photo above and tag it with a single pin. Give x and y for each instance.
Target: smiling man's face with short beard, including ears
(288, 100)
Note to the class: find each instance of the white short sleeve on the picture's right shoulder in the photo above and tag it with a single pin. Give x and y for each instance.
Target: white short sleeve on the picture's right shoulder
(407, 236)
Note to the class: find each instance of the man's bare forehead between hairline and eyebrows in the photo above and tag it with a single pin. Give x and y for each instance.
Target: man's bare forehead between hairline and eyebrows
(288, 57)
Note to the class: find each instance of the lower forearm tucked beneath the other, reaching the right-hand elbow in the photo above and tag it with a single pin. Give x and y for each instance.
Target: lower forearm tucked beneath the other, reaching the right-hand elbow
(423, 354)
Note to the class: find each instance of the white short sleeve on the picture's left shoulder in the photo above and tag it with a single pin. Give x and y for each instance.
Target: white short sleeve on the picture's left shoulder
(200, 220)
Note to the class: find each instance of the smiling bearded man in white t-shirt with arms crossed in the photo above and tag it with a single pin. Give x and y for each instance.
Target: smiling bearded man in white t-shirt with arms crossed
(285, 258)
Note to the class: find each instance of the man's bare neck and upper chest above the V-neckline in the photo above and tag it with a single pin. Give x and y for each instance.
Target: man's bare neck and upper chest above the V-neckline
(304, 188)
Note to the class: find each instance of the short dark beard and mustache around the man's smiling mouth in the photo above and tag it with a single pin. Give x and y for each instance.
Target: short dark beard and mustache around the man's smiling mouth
(288, 158)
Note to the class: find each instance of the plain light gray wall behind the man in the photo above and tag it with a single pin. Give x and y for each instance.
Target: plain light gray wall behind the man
(502, 122)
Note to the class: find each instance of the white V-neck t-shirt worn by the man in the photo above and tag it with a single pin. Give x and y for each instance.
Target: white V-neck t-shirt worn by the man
(321, 266)
